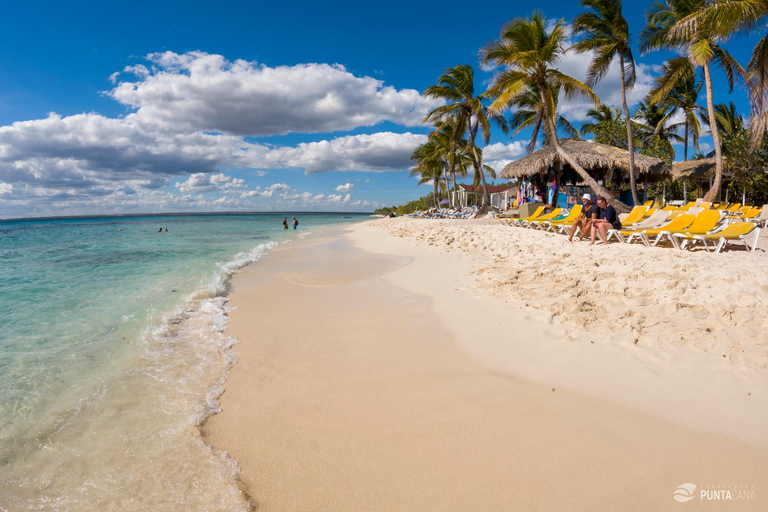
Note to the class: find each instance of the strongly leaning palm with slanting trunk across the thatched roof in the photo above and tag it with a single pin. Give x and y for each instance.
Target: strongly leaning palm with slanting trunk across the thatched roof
(530, 55)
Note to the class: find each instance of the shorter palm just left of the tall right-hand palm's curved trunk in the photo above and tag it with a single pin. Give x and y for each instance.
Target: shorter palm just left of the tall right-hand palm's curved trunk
(684, 97)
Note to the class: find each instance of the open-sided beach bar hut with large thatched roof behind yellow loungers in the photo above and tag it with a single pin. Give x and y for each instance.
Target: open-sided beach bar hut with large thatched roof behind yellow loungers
(608, 165)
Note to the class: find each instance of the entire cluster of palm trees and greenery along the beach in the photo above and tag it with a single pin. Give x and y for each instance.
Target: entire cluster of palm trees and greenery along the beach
(528, 83)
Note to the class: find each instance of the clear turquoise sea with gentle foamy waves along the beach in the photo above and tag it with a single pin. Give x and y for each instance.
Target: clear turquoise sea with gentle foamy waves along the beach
(112, 353)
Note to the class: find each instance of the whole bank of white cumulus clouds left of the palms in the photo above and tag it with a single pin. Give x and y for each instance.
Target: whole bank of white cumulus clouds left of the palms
(190, 114)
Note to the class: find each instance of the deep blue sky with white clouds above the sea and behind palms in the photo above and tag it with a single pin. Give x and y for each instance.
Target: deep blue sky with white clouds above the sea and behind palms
(151, 107)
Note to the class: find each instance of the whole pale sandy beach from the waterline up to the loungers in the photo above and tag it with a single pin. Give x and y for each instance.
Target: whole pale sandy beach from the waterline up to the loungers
(380, 373)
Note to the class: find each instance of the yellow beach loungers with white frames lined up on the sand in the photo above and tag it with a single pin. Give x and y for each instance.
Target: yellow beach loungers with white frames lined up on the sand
(712, 226)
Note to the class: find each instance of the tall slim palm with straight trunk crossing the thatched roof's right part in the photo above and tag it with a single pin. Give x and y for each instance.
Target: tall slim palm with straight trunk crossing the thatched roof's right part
(607, 35)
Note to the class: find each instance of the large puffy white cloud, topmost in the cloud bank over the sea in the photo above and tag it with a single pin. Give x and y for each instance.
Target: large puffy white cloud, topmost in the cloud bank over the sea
(199, 91)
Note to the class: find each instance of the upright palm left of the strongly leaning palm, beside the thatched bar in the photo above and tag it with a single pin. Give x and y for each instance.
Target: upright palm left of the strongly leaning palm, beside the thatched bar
(465, 110)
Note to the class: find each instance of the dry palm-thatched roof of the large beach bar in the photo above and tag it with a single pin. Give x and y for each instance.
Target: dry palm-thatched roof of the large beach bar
(592, 156)
